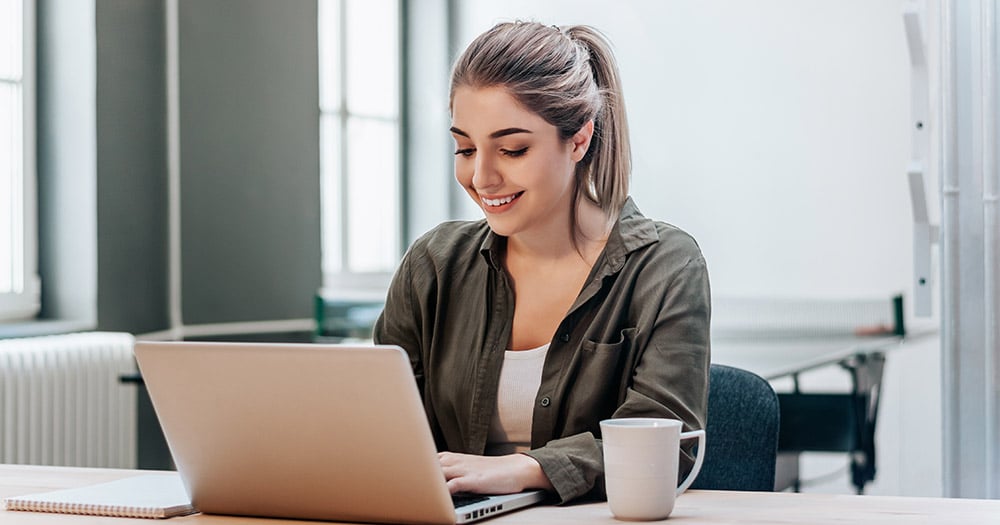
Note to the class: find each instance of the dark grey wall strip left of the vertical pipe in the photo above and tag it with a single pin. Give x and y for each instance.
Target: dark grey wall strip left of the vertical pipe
(131, 165)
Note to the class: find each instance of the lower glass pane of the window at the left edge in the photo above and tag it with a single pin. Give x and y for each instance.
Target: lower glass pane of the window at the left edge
(10, 152)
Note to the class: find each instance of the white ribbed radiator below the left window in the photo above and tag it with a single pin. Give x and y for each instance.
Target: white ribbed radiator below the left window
(61, 401)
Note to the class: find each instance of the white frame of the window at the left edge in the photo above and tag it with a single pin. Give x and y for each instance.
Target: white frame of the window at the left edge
(24, 301)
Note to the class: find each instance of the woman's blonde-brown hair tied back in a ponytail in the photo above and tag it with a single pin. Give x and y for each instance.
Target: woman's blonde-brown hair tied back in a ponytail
(568, 76)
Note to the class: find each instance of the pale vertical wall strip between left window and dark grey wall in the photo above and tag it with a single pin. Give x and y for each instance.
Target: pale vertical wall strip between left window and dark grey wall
(67, 159)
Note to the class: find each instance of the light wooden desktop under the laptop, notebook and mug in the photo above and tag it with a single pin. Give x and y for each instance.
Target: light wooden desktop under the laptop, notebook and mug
(697, 506)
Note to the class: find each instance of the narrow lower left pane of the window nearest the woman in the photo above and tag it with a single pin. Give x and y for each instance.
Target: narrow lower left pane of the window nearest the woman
(330, 184)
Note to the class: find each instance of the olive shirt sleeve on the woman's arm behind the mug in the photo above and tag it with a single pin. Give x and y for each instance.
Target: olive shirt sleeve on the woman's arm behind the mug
(669, 380)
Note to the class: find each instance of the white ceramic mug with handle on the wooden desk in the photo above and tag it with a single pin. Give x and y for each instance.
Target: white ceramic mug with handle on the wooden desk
(641, 456)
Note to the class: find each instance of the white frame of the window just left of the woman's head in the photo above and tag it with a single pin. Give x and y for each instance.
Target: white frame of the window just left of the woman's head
(343, 280)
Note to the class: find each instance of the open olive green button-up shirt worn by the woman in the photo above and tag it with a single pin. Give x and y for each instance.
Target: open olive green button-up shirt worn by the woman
(635, 343)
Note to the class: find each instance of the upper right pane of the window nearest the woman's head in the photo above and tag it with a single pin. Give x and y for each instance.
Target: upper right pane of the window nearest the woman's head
(373, 57)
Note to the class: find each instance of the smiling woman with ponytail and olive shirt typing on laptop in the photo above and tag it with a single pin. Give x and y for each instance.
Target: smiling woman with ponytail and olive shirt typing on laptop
(565, 306)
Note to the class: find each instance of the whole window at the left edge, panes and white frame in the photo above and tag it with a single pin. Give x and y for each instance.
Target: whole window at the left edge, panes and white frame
(19, 287)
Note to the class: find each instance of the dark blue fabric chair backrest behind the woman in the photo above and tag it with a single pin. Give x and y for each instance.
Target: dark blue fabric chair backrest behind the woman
(741, 437)
